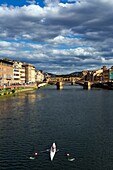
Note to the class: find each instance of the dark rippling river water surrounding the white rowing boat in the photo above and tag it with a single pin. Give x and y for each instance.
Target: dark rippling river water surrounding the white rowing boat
(79, 121)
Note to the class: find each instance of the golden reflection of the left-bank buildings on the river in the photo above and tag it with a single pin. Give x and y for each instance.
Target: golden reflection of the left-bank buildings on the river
(16, 106)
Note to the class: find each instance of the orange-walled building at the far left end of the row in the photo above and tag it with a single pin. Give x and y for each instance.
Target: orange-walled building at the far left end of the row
(6, 72)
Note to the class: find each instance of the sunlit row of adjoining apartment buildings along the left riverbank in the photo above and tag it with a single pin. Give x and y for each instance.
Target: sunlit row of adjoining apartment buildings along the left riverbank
(17, 72)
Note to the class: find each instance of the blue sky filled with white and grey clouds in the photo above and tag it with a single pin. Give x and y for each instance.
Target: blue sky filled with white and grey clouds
(58, 36)
